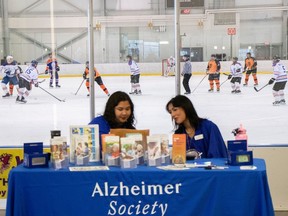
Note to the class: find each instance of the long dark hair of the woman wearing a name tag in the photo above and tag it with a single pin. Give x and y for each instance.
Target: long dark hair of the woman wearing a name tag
(189, 109)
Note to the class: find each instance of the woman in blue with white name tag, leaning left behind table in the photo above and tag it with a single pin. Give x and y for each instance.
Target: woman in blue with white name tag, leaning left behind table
(203, 136)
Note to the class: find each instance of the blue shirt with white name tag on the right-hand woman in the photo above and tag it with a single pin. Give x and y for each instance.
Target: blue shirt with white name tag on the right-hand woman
(207, 140)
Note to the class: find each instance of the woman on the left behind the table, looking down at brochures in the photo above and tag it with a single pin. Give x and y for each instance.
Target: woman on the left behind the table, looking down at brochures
(118, 113)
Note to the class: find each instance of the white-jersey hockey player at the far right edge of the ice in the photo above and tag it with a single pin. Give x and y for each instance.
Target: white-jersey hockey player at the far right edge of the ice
(280, 79)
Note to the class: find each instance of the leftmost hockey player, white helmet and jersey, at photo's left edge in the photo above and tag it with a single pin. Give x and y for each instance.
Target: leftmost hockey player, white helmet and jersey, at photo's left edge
(11, 70)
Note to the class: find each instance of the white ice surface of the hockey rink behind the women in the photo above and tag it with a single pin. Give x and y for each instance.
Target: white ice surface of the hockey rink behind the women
(31, 122)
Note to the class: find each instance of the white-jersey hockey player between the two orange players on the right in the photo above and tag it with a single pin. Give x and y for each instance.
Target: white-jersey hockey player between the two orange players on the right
(235, 76)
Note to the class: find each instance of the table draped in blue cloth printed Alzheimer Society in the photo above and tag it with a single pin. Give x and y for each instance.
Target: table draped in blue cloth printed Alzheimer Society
(141, 191)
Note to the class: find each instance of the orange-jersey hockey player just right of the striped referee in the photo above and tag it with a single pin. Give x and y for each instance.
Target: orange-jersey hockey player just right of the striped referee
(213, 70)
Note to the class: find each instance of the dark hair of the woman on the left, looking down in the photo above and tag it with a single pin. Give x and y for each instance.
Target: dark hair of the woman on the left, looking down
(109, 113)
